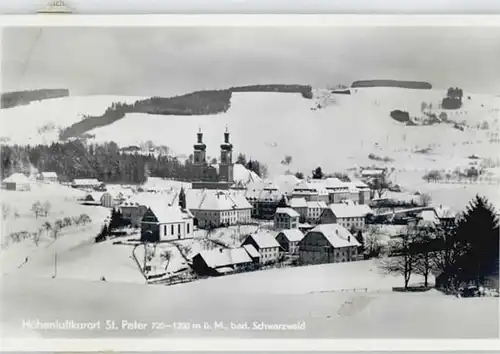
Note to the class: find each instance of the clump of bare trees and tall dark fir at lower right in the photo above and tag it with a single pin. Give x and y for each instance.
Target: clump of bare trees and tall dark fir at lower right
(463, 252)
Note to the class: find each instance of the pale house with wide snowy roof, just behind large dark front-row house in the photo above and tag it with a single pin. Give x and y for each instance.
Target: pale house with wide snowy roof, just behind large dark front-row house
(347, 214)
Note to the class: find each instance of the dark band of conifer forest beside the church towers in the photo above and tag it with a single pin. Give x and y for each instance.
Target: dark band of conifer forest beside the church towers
(105, 162)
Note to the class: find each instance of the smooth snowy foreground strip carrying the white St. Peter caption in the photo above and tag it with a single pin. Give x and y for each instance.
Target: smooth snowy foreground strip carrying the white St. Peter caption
(319, 315)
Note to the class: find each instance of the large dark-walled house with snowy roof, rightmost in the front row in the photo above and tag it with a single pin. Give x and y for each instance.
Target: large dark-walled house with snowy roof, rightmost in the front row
(330, 243)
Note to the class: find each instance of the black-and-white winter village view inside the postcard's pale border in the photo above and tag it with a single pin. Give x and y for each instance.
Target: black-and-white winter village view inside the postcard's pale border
(267, 182)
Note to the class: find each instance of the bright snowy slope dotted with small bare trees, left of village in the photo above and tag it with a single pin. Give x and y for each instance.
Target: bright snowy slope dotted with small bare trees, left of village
(20, 218)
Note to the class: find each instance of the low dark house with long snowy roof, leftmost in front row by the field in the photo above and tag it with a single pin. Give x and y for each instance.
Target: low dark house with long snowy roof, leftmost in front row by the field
(220, 261)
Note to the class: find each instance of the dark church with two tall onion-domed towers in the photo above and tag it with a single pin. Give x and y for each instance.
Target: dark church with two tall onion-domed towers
(205, 176)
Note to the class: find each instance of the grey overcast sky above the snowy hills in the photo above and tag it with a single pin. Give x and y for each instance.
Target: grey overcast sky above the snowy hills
(166, 61)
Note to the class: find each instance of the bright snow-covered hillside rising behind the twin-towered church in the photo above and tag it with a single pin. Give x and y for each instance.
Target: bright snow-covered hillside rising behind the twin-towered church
(270, 126)
